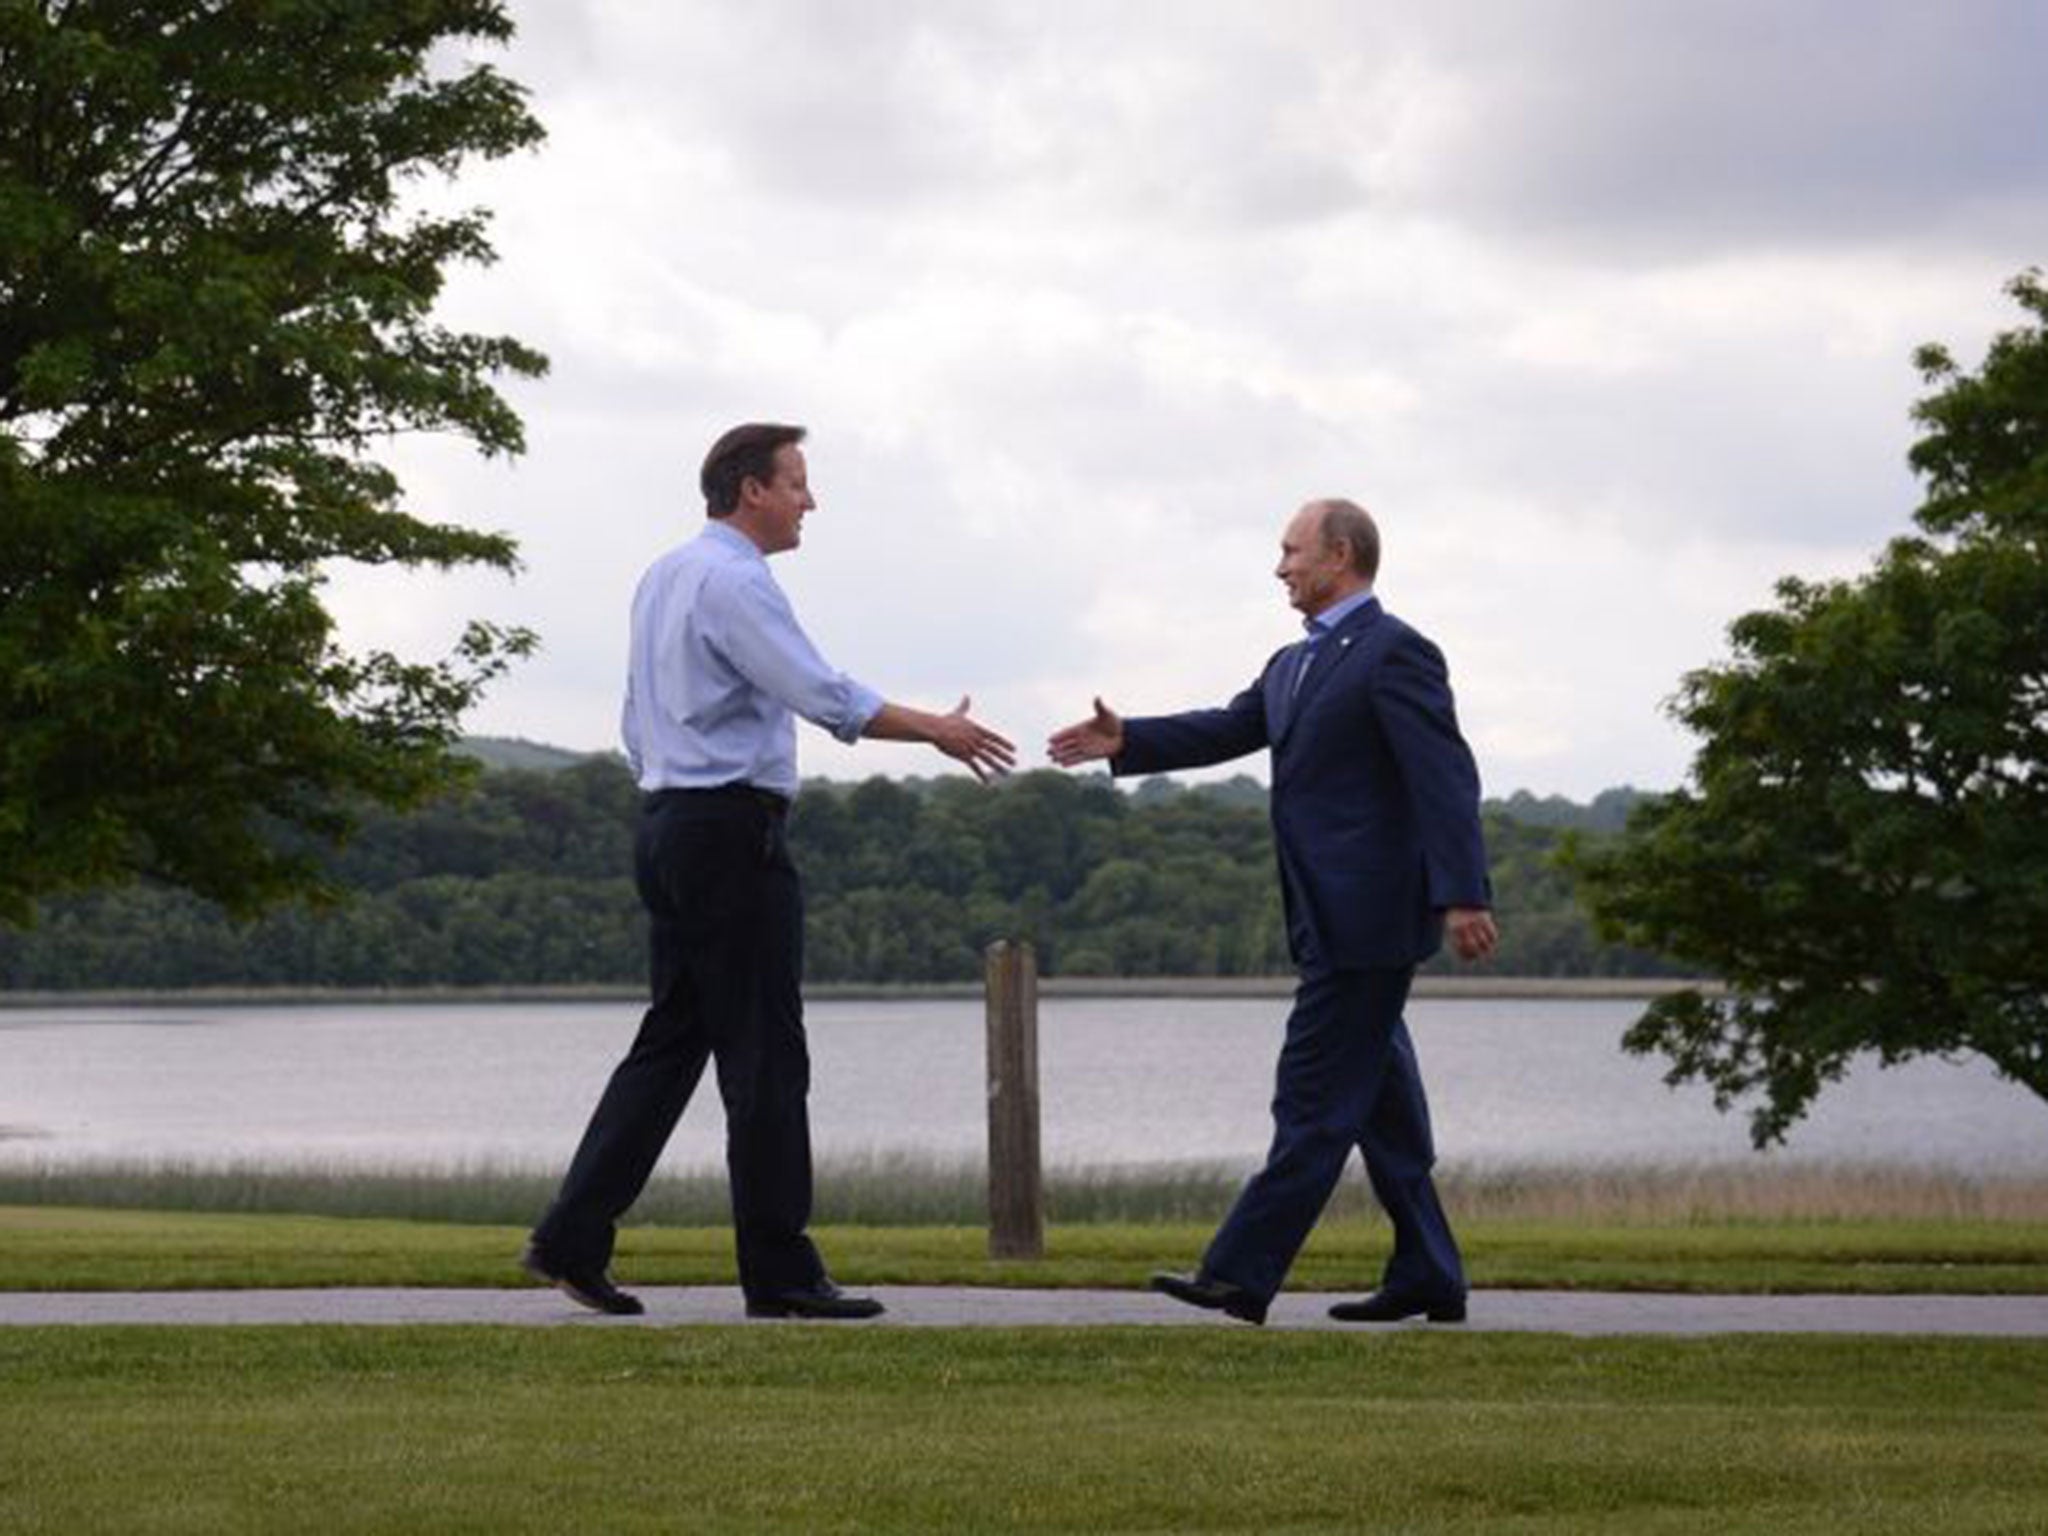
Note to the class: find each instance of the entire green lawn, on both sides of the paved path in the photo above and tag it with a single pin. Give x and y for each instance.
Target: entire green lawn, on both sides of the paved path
(1015, 1431)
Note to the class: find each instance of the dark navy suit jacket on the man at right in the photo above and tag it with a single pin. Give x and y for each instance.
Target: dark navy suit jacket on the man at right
(1375, 796)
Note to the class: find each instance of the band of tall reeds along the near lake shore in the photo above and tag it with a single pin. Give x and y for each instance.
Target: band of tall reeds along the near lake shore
(908, 1191)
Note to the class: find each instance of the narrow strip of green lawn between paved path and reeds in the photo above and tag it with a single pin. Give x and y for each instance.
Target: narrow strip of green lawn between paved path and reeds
(46, 1248)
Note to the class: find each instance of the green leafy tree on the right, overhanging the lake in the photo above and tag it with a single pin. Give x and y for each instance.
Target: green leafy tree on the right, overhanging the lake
(1863, 853)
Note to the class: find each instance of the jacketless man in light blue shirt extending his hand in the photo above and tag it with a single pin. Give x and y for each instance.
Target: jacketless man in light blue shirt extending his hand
(718, 675)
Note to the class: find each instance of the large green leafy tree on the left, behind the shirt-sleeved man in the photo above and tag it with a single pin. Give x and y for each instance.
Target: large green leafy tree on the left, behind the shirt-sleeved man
(218, 290)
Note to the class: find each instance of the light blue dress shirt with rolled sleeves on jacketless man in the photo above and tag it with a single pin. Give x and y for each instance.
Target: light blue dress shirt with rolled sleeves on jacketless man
(720, 671)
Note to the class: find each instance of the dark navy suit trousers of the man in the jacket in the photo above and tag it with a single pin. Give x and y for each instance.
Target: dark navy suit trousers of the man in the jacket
(1347, 1078)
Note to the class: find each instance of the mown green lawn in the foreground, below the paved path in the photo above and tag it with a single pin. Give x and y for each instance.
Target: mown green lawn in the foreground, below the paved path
(1101, 1431)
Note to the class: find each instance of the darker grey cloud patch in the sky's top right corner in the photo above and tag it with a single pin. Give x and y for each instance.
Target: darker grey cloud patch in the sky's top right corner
(1674, 130)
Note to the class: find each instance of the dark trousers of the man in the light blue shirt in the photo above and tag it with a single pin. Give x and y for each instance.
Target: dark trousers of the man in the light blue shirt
(726, 976)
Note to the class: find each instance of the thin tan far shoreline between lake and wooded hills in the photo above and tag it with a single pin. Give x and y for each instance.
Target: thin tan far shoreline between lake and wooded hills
(824, 992)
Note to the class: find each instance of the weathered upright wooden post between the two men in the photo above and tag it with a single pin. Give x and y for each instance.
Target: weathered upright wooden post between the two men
(1017, 1183)
